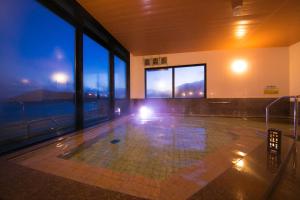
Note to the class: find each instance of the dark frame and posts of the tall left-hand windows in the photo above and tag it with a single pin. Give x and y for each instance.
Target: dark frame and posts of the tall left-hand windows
(84, 23)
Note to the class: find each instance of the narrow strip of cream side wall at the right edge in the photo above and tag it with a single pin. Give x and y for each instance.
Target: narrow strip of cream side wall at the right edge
(294, 54)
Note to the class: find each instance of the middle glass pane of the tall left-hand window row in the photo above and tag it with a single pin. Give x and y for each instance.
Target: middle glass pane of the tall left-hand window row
(95, 81)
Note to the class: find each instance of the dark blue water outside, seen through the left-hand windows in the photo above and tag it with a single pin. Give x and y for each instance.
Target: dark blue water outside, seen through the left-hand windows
(21, 122)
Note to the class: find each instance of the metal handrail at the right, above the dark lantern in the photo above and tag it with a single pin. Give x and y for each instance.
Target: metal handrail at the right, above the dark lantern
(295, 112)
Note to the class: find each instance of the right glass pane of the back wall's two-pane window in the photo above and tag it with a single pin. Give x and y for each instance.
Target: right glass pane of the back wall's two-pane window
(189, 82)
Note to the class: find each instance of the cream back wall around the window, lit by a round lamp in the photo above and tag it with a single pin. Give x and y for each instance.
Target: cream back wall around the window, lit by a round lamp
(266, 66)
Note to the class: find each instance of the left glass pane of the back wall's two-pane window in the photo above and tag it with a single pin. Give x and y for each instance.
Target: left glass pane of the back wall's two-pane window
(159, 83)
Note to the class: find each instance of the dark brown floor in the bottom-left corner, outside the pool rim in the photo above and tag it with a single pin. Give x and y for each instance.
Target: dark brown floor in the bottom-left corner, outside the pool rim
(47, 186)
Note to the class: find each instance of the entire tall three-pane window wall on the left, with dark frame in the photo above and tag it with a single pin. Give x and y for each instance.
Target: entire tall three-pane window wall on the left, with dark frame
(41, 94)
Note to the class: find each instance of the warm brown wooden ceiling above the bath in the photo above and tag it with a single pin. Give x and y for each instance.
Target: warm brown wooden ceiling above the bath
(147, 27)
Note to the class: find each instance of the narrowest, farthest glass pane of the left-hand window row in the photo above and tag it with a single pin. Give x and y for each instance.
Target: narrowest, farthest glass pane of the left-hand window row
(120, 78)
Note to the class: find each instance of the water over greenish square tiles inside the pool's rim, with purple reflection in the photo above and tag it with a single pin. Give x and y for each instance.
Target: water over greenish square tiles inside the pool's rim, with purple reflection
(154, 149)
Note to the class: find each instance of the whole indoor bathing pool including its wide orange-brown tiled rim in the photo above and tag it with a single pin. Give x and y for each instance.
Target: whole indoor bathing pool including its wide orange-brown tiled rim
(153, 159)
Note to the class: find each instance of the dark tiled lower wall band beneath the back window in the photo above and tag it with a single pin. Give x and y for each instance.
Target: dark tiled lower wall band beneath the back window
(238, 107)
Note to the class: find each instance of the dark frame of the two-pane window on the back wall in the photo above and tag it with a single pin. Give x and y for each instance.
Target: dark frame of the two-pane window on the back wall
(173, 80)
